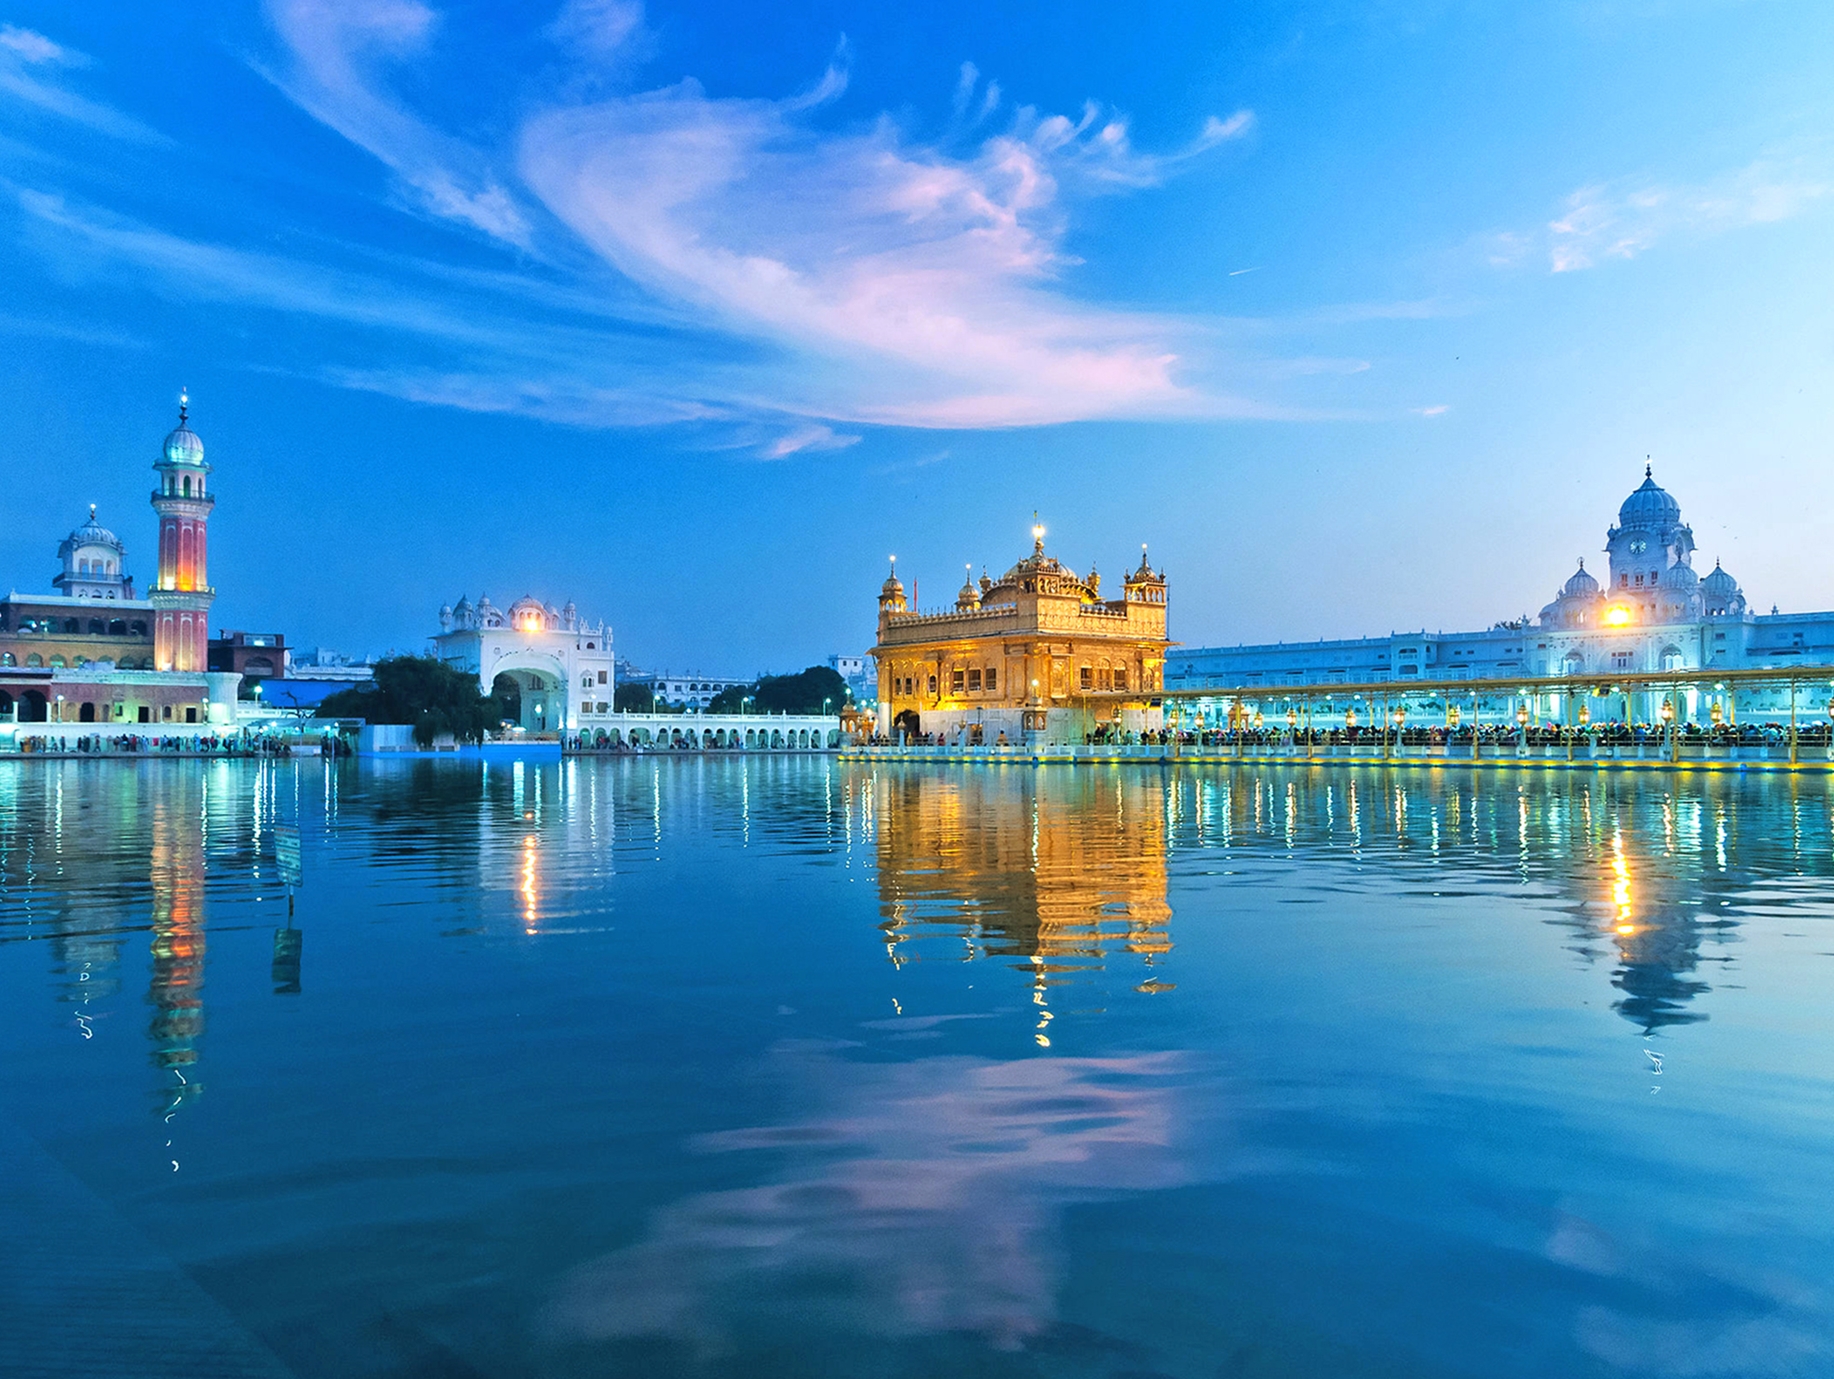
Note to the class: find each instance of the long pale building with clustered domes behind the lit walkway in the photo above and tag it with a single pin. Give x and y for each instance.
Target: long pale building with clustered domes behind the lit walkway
(1652, 613)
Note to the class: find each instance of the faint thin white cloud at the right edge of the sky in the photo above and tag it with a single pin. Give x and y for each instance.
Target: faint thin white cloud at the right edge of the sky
(1619, 221)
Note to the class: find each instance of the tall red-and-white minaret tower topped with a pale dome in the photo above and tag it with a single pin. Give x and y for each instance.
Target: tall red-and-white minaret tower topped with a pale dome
(182, 595)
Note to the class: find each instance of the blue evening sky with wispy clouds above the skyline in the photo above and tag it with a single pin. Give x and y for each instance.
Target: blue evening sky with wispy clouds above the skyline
(1362, 314)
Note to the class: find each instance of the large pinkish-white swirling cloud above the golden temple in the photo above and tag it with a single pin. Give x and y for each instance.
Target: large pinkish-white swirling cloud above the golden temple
(933, 274)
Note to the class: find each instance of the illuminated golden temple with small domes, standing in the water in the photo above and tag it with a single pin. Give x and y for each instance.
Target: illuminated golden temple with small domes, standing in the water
(1033, 657)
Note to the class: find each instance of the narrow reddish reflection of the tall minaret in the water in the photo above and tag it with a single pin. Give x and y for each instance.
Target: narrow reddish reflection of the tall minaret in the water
(177, 881)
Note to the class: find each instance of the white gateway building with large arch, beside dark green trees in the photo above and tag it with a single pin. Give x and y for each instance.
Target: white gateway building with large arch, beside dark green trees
(558, 665)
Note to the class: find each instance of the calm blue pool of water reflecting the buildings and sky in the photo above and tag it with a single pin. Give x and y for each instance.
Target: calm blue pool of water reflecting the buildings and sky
(801, 1068)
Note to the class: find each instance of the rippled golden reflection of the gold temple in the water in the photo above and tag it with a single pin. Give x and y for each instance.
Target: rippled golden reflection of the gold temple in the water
(1055, 870)
